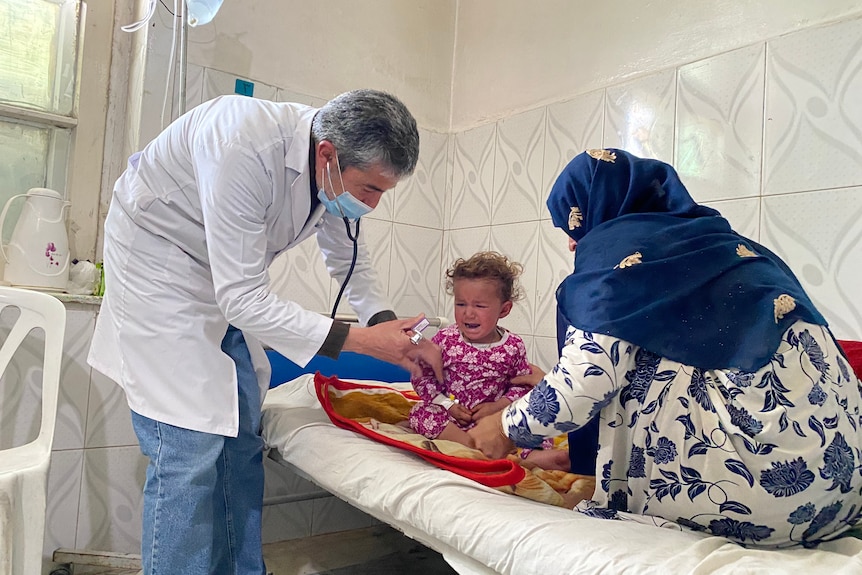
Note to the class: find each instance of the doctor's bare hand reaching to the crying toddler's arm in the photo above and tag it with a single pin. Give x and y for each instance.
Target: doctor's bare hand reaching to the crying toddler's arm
(390, 342)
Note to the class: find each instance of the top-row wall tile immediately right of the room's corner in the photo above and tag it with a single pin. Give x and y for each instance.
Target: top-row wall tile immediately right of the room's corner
(473, 177)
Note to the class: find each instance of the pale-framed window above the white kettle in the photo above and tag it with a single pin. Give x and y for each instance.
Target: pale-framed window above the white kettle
(38, 71)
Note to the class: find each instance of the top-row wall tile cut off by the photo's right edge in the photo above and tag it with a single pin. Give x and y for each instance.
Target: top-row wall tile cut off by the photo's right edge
(814, 116)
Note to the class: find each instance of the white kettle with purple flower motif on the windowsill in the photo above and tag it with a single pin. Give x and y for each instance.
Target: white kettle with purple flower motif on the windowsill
(37, 255)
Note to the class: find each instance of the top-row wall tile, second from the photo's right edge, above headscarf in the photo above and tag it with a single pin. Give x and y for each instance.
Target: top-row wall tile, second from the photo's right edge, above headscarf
(719, 129)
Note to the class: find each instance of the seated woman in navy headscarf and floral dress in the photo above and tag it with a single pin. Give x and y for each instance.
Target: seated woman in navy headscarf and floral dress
(724, 402)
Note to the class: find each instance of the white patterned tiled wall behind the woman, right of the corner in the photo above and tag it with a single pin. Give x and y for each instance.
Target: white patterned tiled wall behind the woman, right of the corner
(770, 135)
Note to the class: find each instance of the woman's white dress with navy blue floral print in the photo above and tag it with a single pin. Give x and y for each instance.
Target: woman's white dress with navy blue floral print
(770, 458)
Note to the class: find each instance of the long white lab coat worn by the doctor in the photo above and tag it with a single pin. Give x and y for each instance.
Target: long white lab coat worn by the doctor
(195, 221)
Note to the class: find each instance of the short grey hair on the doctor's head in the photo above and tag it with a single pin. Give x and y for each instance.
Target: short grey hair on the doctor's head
(368, 127)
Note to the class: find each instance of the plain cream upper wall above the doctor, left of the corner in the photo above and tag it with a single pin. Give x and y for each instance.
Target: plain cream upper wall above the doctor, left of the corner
(323, 49)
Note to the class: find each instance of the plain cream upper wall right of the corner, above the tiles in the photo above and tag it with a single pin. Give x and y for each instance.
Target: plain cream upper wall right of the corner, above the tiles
(513, 55)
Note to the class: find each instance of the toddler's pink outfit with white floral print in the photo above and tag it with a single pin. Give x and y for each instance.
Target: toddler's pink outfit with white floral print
(472, 375)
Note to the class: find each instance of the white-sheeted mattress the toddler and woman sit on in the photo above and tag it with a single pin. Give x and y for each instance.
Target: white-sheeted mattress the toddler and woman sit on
(482, 531)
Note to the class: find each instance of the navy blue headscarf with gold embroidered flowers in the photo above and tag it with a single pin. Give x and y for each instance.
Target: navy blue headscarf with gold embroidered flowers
(655, 268)
